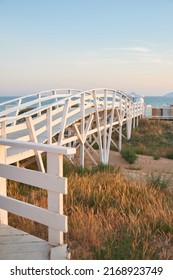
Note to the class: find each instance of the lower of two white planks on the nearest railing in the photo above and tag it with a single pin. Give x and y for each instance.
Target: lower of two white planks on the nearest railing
(35, 213)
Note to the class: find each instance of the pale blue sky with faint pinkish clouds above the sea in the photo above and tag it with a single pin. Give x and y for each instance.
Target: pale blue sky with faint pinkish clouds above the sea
(84, 44)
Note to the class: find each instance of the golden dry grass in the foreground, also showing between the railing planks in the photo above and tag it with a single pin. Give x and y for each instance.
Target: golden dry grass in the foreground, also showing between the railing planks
(109, 217)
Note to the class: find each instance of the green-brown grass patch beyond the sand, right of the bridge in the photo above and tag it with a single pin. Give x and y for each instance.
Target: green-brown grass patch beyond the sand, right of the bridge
(152, 137)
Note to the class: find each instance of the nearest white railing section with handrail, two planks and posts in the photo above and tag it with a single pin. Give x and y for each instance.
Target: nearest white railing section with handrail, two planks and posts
(52, 181)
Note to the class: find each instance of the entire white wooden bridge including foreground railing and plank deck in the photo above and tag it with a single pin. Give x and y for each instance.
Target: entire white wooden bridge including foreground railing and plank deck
(56, 122)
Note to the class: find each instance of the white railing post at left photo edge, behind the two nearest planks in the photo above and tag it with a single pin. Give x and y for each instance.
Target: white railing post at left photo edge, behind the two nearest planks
(3, 187)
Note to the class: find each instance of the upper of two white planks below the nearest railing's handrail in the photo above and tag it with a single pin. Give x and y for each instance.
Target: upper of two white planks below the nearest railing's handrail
(34, 178)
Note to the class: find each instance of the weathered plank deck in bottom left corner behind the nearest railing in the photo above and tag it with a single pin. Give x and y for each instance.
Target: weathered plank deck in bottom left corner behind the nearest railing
(19, 245)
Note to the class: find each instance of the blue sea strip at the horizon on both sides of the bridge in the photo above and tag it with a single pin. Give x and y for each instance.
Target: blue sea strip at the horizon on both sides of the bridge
(154, 101)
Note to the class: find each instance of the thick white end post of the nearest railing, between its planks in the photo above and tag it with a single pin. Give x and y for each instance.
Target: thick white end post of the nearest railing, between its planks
(55, 201)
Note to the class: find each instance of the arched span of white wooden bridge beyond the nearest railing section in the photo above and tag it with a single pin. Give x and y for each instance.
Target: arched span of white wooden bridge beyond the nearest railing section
(70, 117)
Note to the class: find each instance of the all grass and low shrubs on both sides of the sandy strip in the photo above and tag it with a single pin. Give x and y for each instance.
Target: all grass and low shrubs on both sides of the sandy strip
(111, 216)
